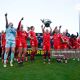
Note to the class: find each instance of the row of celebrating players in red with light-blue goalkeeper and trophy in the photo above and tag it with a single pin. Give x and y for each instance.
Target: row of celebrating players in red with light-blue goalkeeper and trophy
(14, 43)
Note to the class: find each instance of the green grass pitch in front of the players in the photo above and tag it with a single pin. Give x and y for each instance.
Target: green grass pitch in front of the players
(40, 71)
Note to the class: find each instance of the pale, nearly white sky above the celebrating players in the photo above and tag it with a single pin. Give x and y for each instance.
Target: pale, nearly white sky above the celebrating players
(60, 12)
